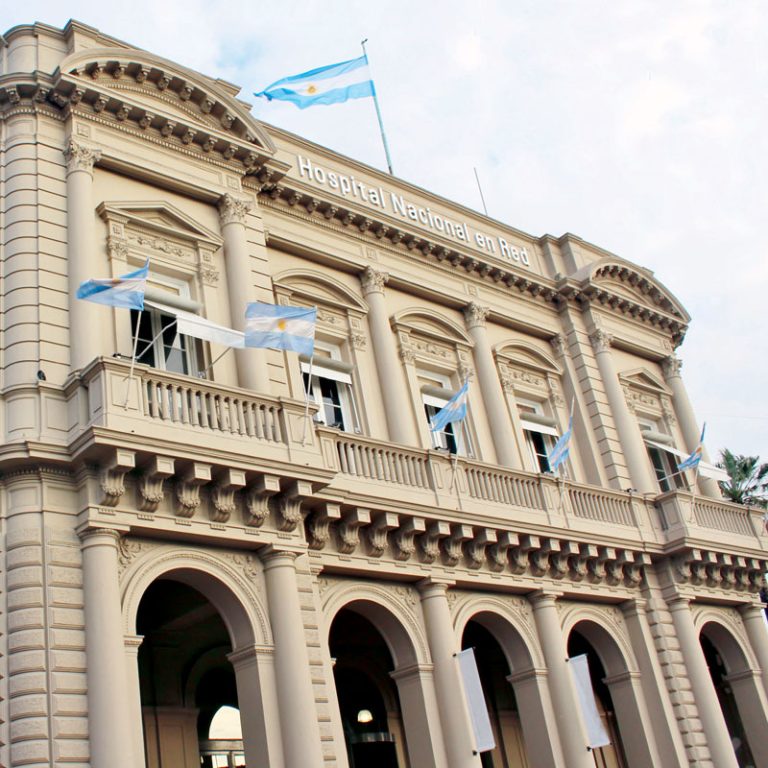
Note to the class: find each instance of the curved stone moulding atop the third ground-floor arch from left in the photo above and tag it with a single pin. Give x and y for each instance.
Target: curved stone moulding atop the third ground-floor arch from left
(516, 639)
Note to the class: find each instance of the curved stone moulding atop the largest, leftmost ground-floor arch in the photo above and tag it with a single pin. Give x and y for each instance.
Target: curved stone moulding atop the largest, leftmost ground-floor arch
(217, 579)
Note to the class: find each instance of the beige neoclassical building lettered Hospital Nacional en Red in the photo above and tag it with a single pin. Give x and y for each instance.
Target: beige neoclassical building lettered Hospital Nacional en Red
(182, 538)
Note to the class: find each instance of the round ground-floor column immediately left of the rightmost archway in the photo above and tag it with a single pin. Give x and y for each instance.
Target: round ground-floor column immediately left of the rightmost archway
(715, 730)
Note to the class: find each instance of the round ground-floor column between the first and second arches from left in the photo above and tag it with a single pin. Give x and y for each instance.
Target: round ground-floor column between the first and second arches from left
(295, 695)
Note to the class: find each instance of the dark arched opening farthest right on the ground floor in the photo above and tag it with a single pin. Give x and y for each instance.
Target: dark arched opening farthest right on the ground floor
(739, 693)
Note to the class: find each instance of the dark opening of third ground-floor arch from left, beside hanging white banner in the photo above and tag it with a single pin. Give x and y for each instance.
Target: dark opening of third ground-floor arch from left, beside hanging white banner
(500, 700)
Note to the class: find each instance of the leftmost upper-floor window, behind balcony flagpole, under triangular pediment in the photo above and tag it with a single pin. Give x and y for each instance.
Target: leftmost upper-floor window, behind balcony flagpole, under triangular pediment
(159, 344)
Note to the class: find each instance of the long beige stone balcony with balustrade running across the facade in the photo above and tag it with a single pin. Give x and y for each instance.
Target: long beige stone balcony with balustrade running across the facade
(159, 412)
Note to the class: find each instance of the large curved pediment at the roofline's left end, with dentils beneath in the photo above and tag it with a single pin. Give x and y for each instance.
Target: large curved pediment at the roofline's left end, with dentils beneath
(204, 93)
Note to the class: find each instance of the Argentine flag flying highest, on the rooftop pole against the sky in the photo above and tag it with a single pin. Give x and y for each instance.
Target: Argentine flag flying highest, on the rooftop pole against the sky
(325, 85)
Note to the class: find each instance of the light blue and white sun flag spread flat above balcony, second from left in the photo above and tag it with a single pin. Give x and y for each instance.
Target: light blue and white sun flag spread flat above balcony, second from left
(276, 327)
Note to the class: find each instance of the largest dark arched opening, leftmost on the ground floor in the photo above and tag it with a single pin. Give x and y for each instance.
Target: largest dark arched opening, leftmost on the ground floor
(185, 679)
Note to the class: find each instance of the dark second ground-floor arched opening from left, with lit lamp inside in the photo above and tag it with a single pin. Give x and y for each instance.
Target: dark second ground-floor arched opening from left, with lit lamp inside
(368, 699)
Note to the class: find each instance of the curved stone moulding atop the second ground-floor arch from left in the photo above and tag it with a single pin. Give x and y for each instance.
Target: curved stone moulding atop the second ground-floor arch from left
(397, 625)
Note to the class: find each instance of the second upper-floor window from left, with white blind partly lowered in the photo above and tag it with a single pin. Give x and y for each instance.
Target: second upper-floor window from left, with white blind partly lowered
(330, 387)
